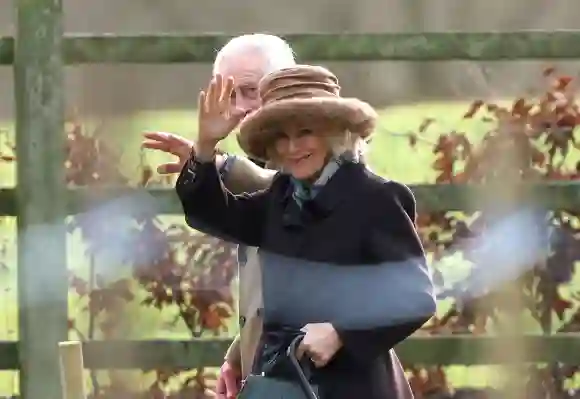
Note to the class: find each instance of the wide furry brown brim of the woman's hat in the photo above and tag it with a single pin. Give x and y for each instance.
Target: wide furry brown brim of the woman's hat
(257, 130)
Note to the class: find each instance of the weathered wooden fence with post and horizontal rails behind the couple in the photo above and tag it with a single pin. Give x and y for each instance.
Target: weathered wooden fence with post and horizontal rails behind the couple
(39, 53)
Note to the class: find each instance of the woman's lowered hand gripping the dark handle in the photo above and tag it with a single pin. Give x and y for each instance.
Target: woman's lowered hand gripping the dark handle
(320, 343)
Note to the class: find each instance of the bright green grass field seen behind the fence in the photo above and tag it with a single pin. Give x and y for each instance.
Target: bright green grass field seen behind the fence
(390, 155)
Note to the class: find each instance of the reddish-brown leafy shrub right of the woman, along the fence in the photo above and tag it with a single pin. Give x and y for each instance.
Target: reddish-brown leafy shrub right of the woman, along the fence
(532, 140)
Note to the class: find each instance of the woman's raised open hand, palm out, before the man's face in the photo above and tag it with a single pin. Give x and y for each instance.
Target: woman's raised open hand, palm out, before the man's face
(217, 115)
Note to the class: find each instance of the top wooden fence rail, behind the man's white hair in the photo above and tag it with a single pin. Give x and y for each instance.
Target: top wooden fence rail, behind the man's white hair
(489, 46)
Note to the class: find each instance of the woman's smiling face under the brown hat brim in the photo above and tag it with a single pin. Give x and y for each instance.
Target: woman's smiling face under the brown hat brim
(302, 149)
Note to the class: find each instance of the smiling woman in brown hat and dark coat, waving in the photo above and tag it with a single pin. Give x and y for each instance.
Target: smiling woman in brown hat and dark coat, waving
(317, 139)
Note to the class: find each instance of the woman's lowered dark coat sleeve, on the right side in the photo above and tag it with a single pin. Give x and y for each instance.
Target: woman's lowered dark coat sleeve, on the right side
(393, 242)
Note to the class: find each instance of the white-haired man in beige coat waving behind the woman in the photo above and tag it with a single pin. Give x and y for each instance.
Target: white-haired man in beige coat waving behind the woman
(247, 59)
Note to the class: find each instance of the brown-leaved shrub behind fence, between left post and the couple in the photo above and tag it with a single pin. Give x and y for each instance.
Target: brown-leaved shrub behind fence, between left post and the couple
(182, 272)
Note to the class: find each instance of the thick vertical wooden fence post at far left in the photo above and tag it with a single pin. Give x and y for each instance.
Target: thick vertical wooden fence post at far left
(41, 199)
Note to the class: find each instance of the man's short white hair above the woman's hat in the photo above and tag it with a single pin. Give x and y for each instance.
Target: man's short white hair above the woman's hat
(276, 51)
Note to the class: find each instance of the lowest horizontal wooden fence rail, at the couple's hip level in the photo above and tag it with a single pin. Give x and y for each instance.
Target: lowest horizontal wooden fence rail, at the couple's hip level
(441, 350)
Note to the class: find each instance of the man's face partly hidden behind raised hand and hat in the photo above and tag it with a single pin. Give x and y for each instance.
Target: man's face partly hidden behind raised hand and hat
(247, 70)
